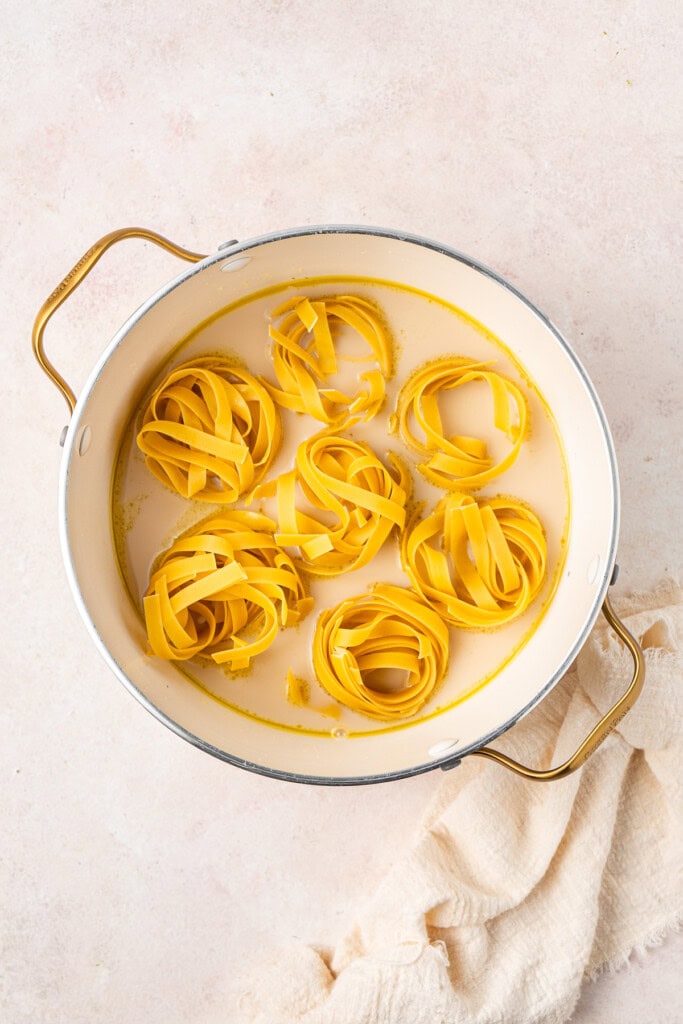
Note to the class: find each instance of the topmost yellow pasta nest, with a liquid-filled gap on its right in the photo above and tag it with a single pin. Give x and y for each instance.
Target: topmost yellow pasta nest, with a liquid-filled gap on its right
(305, 358)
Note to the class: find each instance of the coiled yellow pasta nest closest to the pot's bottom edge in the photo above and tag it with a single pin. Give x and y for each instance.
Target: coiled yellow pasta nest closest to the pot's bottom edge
(364, 643)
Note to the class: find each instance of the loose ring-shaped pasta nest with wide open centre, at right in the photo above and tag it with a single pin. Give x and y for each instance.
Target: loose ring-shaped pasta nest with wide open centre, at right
(458, 461)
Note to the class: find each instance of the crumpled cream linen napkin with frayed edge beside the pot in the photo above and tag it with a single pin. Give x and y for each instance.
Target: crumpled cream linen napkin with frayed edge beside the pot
(516, 891)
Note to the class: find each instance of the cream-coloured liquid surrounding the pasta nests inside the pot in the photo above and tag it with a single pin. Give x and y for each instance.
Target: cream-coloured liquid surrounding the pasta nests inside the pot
(147, 518)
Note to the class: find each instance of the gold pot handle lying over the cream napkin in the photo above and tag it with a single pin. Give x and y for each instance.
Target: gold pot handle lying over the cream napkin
(605, 727)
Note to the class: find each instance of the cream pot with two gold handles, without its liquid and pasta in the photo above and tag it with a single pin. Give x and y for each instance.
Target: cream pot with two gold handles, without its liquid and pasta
(114, 396)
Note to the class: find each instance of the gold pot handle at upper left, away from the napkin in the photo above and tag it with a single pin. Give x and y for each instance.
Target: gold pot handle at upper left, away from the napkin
(74, 279)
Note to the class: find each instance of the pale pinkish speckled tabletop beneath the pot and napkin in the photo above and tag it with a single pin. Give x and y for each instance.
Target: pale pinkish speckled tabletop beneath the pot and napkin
(137, 873)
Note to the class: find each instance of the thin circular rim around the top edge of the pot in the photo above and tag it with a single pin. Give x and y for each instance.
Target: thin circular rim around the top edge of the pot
(225, 252)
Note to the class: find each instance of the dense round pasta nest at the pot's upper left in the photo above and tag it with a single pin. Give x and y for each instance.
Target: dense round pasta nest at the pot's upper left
(210, 432)
